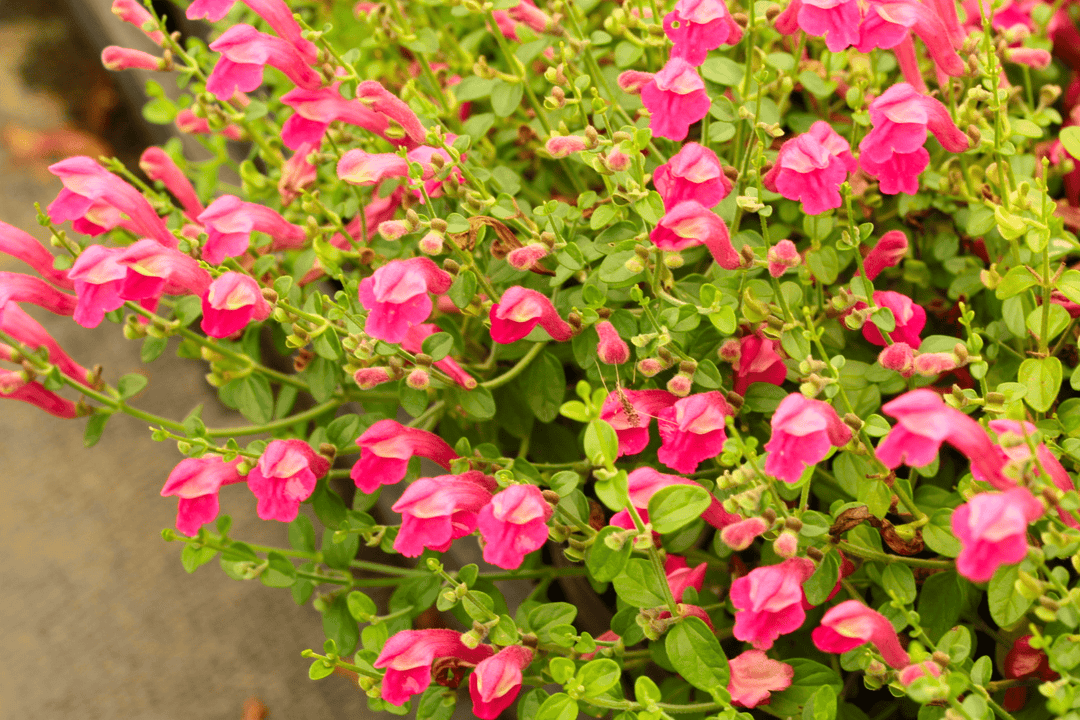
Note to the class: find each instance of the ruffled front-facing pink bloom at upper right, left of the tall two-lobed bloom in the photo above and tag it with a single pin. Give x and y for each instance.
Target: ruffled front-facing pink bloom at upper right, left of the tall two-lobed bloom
(812, 169)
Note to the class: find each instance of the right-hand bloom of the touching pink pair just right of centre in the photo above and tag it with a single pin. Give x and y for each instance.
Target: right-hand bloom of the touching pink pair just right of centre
(693, 430)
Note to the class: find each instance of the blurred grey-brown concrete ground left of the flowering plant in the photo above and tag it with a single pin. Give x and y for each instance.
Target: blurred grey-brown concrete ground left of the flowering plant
(98, 617)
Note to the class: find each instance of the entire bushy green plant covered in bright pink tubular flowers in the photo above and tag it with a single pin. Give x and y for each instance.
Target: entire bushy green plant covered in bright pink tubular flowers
(748, 330)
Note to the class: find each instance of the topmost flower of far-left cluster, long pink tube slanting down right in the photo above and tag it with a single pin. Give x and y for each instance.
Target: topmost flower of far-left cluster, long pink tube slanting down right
(91, 191)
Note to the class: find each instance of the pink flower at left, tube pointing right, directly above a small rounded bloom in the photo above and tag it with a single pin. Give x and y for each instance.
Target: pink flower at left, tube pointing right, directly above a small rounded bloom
(231, 223)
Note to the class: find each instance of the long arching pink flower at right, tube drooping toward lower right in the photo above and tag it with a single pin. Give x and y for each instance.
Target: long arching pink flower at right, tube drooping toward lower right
(924, 424)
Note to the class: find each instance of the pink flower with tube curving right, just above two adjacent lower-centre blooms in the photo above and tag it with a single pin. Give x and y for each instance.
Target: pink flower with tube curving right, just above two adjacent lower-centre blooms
(387, 447)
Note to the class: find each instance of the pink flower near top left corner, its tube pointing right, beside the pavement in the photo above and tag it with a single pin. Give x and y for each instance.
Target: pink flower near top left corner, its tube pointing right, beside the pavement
(246, 52)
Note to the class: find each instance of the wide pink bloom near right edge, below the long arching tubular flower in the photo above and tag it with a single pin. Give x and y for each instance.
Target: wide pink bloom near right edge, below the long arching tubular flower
(993, 529)
